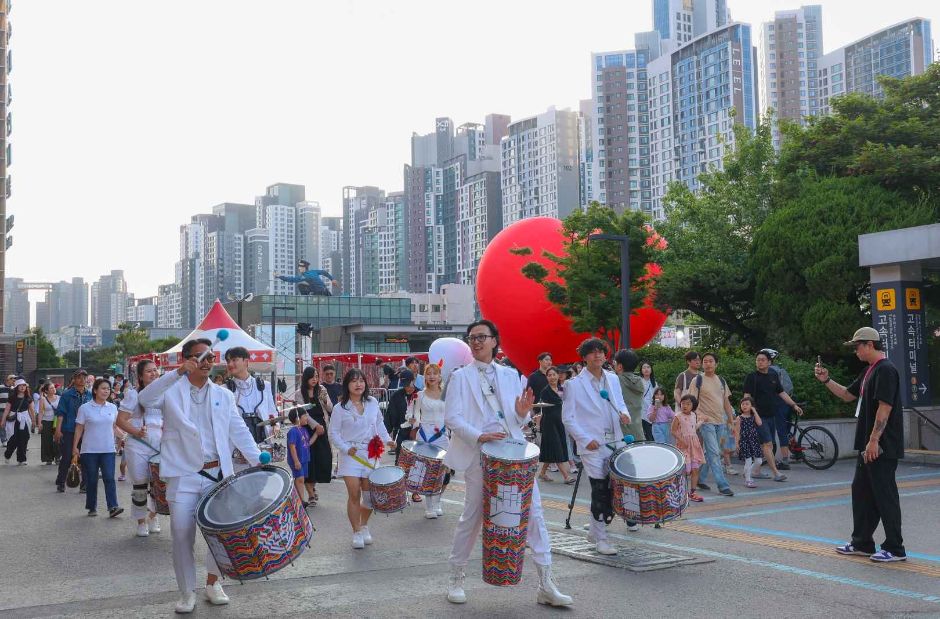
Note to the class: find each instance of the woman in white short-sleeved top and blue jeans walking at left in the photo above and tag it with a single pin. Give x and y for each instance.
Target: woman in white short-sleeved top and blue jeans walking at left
(94, 429)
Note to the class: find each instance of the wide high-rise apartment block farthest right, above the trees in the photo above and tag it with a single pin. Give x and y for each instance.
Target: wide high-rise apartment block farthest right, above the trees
(897, 51)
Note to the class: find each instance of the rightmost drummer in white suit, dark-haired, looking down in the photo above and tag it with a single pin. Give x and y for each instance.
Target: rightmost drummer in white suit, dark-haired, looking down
(593, 410)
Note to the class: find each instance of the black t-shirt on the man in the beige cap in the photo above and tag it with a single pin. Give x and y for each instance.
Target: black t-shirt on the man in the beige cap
(883, 385)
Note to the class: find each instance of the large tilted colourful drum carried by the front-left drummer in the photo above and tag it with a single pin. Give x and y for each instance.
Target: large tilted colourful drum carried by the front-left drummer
(254, 522)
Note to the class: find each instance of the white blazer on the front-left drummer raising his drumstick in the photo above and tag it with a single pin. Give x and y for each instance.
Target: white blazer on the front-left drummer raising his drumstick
(180, 447)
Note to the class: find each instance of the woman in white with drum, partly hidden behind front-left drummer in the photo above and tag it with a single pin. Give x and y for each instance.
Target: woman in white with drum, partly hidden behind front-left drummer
(144, 428)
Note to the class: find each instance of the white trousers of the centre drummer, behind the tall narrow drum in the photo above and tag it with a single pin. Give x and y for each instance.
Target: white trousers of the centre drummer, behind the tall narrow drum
(471, 522)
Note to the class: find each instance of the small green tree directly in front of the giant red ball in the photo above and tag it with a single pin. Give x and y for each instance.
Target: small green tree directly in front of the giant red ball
(585, 283)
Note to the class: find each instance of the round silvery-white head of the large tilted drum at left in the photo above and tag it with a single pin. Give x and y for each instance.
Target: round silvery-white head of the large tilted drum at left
(244, 497)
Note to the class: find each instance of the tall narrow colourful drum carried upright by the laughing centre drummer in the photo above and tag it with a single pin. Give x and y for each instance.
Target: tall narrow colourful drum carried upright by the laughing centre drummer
(509, 468)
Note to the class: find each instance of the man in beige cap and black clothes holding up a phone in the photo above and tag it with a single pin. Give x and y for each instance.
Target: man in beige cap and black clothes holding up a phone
(879, 439)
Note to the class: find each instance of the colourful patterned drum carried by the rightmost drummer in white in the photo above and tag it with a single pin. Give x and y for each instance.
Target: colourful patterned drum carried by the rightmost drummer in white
(648, 482)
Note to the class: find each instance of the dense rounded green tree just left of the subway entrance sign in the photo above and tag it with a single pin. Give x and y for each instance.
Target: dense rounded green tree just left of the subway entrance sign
(805, 260)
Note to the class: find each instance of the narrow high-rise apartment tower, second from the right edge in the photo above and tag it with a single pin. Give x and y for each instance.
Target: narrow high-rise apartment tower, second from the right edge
(791, 48)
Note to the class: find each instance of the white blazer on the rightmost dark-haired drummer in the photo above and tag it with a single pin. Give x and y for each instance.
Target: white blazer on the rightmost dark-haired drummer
(586, 415)
